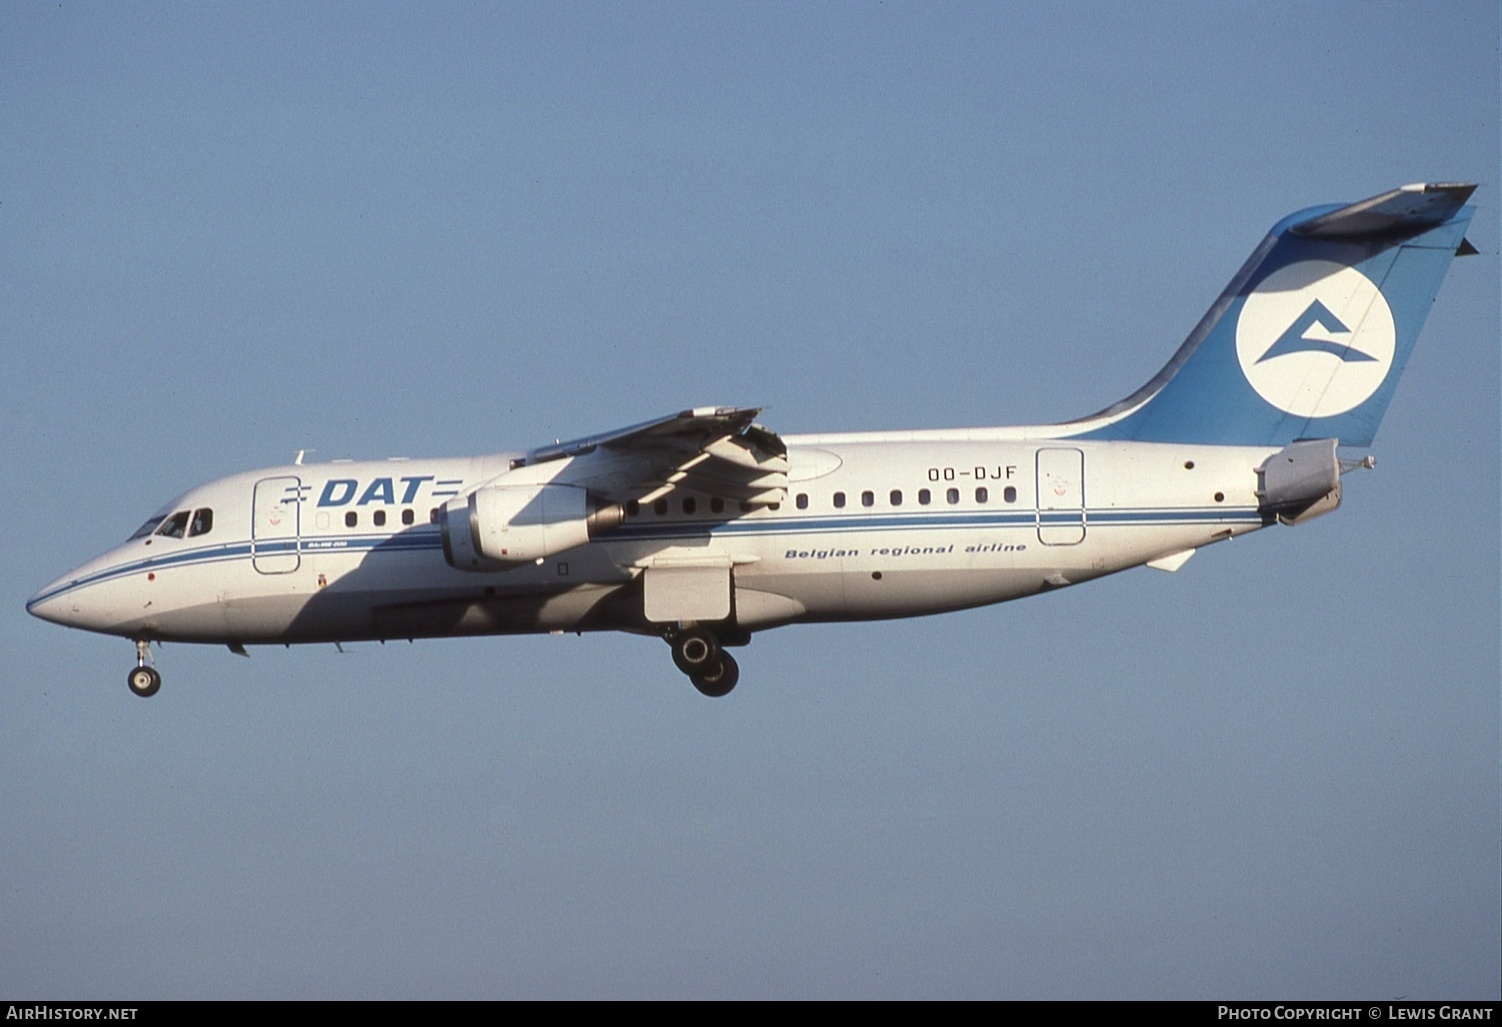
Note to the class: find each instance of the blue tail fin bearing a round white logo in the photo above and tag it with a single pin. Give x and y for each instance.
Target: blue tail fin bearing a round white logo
(1310, 339)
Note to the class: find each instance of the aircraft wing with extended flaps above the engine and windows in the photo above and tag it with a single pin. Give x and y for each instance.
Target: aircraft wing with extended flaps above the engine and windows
(714, 451)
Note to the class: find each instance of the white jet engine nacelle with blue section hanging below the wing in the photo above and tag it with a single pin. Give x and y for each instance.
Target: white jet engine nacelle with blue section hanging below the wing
(505, 526)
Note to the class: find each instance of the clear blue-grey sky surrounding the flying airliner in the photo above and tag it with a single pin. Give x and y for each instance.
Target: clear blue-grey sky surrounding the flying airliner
(231, 233)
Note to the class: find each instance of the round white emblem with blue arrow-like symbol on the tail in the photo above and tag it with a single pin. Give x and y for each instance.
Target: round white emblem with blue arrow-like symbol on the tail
(1317, 339)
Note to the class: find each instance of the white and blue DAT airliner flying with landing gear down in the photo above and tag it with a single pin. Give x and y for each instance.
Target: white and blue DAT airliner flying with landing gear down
(705, 528)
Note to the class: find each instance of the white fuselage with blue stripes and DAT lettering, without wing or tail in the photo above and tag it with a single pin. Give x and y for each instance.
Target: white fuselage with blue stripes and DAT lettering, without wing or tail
(876, 525)
